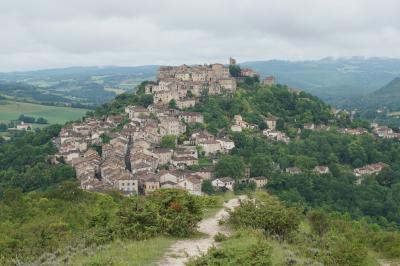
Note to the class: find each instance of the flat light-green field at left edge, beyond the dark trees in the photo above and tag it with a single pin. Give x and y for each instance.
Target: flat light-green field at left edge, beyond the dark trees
(11, 110)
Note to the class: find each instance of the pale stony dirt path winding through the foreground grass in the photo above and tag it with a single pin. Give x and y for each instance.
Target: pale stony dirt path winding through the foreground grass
(182, 250)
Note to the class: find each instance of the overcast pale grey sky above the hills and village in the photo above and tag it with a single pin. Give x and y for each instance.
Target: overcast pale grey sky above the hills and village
(58, 33)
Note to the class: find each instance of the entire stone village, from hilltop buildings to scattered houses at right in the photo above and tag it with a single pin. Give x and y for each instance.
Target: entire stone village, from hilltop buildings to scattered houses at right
(138, 151)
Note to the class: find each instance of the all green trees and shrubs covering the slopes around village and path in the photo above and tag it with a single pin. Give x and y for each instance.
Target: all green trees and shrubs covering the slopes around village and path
(318, 218)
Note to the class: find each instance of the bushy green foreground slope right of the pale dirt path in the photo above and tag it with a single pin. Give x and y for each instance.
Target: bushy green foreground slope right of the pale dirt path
(268, 233)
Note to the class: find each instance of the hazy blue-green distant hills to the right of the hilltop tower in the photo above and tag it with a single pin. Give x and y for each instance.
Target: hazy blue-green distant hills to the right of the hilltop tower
(329, 78)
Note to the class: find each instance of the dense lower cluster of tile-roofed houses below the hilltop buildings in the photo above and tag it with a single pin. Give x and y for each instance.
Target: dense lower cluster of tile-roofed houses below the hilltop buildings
(123, 151)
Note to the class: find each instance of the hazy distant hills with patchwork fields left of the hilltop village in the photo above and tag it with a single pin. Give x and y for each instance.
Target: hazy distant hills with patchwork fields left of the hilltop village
(83, 86)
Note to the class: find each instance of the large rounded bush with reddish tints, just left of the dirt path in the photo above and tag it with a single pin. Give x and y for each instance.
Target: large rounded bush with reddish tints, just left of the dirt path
(171, 211)
